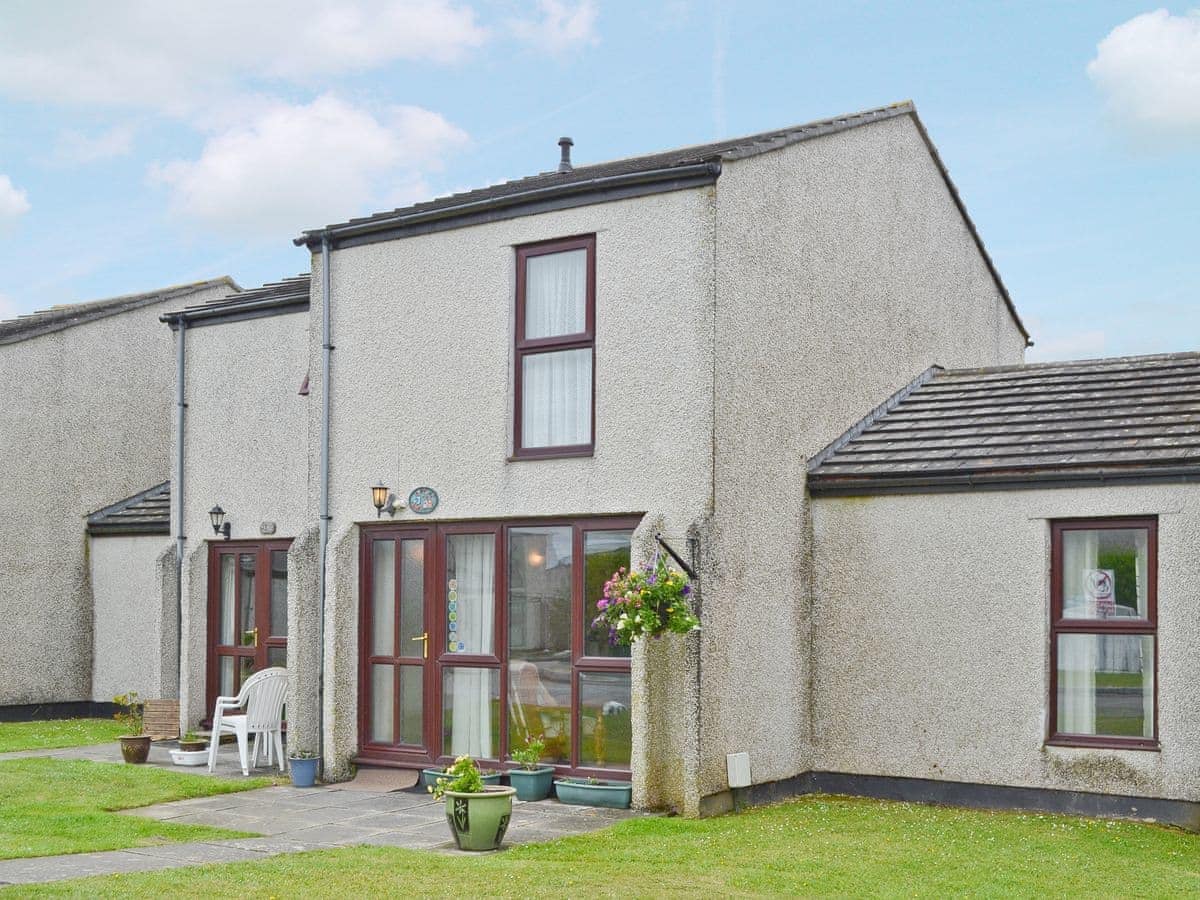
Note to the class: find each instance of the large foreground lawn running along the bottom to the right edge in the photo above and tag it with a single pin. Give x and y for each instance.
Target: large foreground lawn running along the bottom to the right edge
(818, 845)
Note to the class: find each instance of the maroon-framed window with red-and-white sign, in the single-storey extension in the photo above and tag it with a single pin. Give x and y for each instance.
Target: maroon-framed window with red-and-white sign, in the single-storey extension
(1105, 633)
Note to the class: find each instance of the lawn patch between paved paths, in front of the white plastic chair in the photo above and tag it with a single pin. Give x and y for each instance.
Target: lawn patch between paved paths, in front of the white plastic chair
(50, 807)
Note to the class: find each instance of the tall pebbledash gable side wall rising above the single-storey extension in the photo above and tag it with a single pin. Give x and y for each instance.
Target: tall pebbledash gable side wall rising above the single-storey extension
(844, 266)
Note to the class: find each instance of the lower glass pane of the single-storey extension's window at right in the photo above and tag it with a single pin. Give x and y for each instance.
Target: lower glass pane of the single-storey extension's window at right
(1107, 686)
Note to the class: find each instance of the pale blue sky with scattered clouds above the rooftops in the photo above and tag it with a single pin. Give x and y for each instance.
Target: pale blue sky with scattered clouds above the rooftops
(146, 145)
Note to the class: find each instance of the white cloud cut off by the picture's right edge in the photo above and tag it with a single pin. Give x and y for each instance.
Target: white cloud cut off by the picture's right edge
(1149, 69)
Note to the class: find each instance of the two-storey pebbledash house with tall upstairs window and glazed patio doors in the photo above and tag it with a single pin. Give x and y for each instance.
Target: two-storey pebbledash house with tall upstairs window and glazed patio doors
(544, 377)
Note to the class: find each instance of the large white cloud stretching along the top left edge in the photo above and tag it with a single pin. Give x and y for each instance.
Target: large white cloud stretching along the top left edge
(181, 58)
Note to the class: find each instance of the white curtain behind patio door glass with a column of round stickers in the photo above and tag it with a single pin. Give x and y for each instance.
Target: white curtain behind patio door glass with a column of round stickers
(473, 571)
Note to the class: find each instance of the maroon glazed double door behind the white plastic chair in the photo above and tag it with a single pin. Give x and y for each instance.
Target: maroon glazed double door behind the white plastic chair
(248, 613)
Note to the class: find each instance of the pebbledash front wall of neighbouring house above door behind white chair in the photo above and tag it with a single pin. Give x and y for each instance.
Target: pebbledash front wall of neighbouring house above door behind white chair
(245, 449)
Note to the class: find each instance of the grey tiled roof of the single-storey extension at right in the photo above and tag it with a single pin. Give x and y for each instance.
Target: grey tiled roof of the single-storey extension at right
(1088, 423)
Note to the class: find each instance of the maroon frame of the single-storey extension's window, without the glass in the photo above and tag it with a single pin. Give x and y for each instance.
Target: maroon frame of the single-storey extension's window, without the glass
(1060, 626)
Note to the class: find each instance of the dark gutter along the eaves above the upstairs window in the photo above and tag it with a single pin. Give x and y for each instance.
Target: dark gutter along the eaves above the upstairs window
(608, 183)
